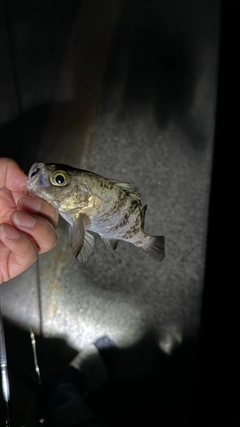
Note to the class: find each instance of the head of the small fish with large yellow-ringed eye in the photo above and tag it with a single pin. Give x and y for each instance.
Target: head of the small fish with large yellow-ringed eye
(53, 182)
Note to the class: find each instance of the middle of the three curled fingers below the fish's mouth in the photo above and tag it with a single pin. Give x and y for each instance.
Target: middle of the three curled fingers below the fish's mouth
(39, 229)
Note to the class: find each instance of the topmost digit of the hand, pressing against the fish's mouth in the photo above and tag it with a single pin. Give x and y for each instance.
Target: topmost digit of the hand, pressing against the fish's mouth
(11, 176)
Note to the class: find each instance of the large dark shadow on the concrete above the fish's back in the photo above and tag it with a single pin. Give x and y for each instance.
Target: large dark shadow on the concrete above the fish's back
(153, 66)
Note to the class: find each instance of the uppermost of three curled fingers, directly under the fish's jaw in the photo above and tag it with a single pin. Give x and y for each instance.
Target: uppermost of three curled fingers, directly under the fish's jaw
(40, 207)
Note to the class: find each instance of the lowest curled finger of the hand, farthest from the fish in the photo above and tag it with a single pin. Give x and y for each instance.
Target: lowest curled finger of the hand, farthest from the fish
(23, 251)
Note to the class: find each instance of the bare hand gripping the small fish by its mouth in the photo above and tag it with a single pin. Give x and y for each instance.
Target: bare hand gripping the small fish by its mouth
(27, 224)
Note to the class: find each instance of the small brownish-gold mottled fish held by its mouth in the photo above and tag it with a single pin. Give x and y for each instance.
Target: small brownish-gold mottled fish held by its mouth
(91, 203)
